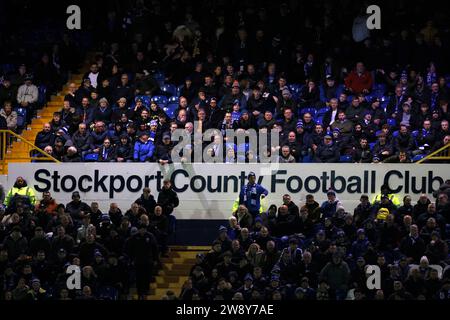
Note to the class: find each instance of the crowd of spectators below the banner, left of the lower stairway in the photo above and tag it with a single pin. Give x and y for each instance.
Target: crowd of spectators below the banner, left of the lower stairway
(114, 250)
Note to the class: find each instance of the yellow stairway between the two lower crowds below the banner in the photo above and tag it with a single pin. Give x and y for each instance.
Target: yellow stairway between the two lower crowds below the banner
(174, 272)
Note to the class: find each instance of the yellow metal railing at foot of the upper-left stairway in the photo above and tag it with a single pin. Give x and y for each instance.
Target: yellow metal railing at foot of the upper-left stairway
(6, 140)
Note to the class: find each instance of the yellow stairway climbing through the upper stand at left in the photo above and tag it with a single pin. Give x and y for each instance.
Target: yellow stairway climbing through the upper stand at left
(19, 151)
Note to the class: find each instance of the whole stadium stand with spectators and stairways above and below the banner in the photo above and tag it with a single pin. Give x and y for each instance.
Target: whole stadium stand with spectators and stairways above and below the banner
(116, 94)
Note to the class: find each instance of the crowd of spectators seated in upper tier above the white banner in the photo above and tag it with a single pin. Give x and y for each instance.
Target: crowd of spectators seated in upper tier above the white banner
(384, 99)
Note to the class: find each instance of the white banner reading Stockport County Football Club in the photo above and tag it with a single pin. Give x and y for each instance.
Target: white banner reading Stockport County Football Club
(207, 191)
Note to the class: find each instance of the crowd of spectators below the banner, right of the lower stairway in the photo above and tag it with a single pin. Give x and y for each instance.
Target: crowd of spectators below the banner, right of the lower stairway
(321, 251)
